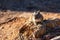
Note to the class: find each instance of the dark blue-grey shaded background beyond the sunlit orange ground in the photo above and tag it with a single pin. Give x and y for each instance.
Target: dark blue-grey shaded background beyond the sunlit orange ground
(30, 5)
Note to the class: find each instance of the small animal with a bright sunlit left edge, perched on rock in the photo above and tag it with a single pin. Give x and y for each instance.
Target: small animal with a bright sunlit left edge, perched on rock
(37, 17)
